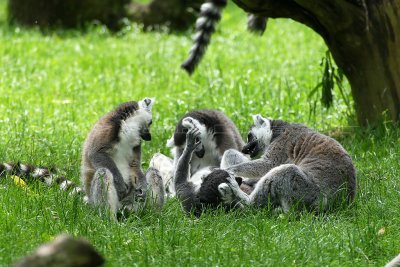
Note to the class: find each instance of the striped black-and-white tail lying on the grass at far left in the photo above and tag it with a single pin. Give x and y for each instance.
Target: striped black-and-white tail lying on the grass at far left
(43, 174)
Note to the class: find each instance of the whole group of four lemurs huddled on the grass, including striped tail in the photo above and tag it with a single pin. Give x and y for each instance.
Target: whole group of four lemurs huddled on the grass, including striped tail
(282, 166)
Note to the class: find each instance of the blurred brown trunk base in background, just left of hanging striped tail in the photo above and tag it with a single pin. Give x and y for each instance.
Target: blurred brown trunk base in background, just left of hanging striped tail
(175, 14)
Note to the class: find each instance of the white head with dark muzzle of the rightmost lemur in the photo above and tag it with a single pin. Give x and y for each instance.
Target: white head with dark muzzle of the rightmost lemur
(259, 137)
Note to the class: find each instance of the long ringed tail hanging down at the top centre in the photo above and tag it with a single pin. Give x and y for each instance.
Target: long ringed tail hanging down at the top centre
(210, 15)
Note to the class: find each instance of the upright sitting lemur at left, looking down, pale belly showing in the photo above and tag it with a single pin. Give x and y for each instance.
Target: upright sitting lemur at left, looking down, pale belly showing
(111, 170)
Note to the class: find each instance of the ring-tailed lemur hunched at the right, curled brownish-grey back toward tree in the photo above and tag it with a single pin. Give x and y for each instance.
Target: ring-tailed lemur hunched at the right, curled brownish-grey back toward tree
(298, 167)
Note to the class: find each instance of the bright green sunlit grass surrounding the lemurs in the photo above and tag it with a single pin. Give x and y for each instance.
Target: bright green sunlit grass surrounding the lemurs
(54, 86)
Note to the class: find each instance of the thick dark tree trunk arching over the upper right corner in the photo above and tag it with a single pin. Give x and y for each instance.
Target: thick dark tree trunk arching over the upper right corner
(364, 39)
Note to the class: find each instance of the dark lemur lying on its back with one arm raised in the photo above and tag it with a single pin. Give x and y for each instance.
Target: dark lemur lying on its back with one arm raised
(196, 196)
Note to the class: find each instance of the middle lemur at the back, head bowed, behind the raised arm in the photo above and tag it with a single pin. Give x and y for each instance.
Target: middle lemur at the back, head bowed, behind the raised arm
(217, 133)
